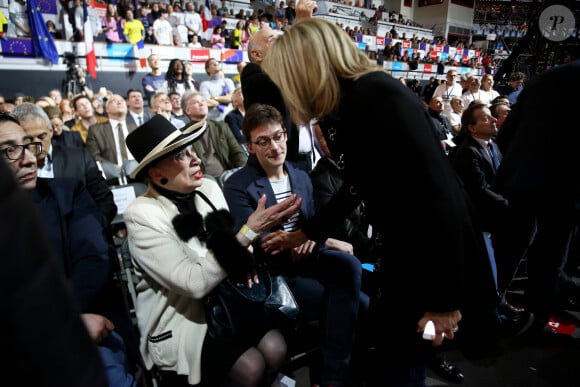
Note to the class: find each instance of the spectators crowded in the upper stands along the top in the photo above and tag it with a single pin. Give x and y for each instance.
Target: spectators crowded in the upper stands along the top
(193, 24)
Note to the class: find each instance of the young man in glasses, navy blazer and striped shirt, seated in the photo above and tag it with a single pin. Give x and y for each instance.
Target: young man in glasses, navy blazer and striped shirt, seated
(332, 296)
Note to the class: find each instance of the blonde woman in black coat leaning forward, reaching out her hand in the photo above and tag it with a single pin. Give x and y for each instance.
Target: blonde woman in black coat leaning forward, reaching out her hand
(421, 223)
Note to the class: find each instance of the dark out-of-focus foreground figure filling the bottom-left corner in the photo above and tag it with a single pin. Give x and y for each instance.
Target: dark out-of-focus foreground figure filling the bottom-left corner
(31, 272)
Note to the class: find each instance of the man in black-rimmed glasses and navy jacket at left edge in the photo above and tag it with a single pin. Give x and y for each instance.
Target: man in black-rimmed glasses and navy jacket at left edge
(75, 231)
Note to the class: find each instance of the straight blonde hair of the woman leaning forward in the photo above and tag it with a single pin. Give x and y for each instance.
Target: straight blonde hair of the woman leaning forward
(306, 63)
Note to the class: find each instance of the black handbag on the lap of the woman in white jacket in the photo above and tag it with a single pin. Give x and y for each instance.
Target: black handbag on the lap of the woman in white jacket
(234, 309)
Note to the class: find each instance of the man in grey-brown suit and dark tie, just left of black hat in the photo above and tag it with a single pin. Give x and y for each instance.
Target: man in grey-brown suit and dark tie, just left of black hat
(106, 141)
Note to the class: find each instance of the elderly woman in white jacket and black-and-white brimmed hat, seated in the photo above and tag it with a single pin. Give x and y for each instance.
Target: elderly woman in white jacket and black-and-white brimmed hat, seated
(177, 269)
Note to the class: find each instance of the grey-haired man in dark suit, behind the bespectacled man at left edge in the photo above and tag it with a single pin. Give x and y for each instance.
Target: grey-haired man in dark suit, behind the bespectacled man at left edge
(61, 161)
